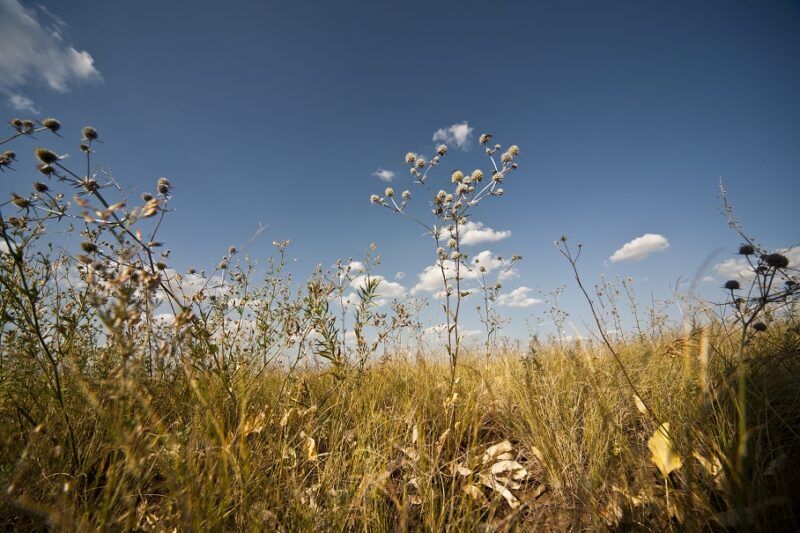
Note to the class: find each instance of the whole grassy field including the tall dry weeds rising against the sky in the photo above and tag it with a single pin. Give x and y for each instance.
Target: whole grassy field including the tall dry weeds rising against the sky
(137, 398)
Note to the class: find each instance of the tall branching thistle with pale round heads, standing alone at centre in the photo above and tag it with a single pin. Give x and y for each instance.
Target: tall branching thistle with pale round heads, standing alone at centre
(451, 209)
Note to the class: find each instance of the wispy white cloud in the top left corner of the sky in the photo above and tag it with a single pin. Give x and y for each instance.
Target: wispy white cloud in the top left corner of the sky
(35, 51)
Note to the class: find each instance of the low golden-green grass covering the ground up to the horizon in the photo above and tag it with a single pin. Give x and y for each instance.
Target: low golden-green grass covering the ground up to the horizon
(373, 452)
